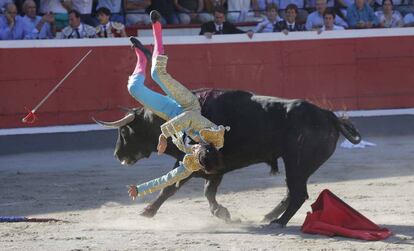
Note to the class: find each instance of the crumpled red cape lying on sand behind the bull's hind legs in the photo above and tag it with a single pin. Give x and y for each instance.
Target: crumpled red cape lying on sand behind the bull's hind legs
(331, 216)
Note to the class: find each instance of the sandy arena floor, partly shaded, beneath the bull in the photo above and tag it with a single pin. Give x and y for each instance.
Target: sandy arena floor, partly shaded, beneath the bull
(88, 189)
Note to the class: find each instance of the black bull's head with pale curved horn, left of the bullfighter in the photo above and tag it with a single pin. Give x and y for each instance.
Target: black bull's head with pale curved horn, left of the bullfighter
(137, 136)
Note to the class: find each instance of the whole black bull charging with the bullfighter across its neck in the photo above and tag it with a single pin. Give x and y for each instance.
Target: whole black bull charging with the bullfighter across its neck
(263, 129)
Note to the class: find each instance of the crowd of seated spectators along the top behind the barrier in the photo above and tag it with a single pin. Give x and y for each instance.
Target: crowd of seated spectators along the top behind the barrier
(47, 19)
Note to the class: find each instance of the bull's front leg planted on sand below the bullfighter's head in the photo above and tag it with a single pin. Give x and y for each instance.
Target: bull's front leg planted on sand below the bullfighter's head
(210, 191)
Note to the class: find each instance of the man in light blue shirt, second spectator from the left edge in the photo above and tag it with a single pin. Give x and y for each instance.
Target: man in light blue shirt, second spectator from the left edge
(38, 27)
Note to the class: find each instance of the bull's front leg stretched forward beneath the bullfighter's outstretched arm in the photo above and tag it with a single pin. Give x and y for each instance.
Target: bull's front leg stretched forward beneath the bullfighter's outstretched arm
(167, 192)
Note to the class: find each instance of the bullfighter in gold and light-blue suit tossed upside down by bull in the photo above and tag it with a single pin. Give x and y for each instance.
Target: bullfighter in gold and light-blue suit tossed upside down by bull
(182, 111)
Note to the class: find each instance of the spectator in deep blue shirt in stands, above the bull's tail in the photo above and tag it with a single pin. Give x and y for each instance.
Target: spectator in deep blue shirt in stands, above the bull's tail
(361, 16)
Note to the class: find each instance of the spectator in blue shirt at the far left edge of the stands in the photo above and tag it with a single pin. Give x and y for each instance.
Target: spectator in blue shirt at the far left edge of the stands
(12, 26)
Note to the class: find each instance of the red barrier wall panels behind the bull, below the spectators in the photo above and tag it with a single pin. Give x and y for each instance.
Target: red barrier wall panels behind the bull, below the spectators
(351, 73)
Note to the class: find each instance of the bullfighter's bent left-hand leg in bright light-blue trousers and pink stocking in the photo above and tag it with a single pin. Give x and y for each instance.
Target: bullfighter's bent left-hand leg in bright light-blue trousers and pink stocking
(163, 106)
